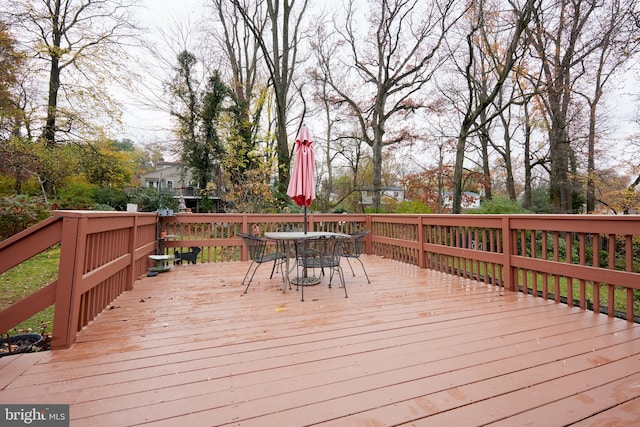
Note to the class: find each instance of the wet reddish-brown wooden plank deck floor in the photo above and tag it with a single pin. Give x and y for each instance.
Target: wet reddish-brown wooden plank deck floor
(413, 347)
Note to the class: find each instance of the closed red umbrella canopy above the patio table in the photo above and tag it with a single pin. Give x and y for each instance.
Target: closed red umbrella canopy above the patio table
(302, 186)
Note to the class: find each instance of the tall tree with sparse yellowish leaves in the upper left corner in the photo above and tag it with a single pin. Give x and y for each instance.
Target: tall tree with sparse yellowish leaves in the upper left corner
(83, 38)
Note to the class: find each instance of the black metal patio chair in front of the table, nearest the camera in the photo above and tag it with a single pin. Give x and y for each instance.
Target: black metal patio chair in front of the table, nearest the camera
(319, 253)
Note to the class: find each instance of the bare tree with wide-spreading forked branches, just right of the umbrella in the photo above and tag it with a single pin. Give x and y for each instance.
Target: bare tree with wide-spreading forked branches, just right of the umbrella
(387, 69)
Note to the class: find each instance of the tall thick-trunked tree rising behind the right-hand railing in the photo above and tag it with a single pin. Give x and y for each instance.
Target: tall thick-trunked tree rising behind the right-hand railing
(567, 37)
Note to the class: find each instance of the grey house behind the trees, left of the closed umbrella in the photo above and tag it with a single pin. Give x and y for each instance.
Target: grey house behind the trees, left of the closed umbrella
(173, 178)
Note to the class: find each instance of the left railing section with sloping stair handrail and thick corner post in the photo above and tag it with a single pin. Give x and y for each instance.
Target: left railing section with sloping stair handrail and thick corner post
(101, 256)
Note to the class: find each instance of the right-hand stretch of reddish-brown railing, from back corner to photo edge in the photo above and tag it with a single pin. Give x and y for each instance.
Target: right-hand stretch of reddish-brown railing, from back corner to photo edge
(589, 261)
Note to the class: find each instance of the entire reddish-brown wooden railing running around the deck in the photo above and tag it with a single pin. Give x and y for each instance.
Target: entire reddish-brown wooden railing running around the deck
(588, 261)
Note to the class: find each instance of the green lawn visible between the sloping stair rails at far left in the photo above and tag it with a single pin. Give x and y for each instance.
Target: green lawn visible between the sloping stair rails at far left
(26, 278)
